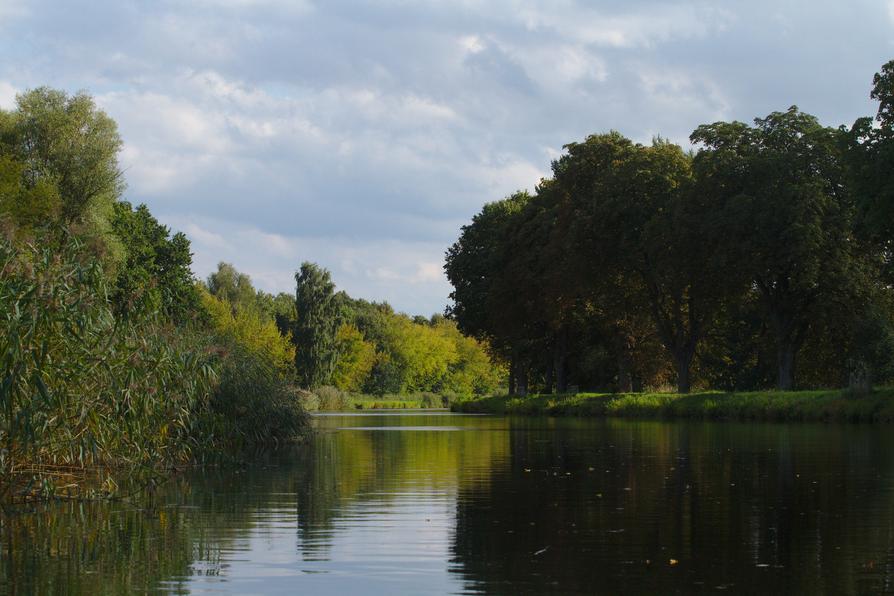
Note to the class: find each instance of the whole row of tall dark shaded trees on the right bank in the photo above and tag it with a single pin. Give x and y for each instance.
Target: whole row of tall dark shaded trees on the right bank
(766, 246)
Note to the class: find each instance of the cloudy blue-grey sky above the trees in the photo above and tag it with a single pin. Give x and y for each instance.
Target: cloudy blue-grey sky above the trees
(362, 135)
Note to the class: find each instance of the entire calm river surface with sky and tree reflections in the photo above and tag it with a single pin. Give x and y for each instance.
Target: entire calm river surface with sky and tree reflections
(442, 503)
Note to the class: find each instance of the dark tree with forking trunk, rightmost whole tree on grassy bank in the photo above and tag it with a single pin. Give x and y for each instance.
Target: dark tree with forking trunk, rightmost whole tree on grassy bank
(783, 182)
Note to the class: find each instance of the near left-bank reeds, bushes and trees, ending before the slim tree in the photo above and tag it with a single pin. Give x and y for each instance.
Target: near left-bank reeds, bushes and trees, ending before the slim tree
(114, 364)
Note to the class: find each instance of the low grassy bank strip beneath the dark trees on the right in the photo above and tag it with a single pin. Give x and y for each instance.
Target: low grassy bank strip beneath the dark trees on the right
(826, 405)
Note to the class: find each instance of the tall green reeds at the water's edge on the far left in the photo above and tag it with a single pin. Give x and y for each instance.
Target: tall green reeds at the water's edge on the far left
(86, 400)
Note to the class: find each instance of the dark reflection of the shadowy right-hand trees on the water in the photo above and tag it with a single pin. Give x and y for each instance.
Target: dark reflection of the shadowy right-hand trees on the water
(656, 508)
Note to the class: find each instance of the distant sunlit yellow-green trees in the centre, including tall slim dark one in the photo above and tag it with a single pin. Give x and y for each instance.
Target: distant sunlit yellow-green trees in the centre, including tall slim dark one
(358, 346)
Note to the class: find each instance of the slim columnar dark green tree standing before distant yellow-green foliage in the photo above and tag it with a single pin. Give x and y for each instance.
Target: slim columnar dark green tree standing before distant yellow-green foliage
(316, 348)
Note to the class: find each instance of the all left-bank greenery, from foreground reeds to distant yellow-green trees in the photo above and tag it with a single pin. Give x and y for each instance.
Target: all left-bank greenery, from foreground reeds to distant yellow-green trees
(117, 363)
